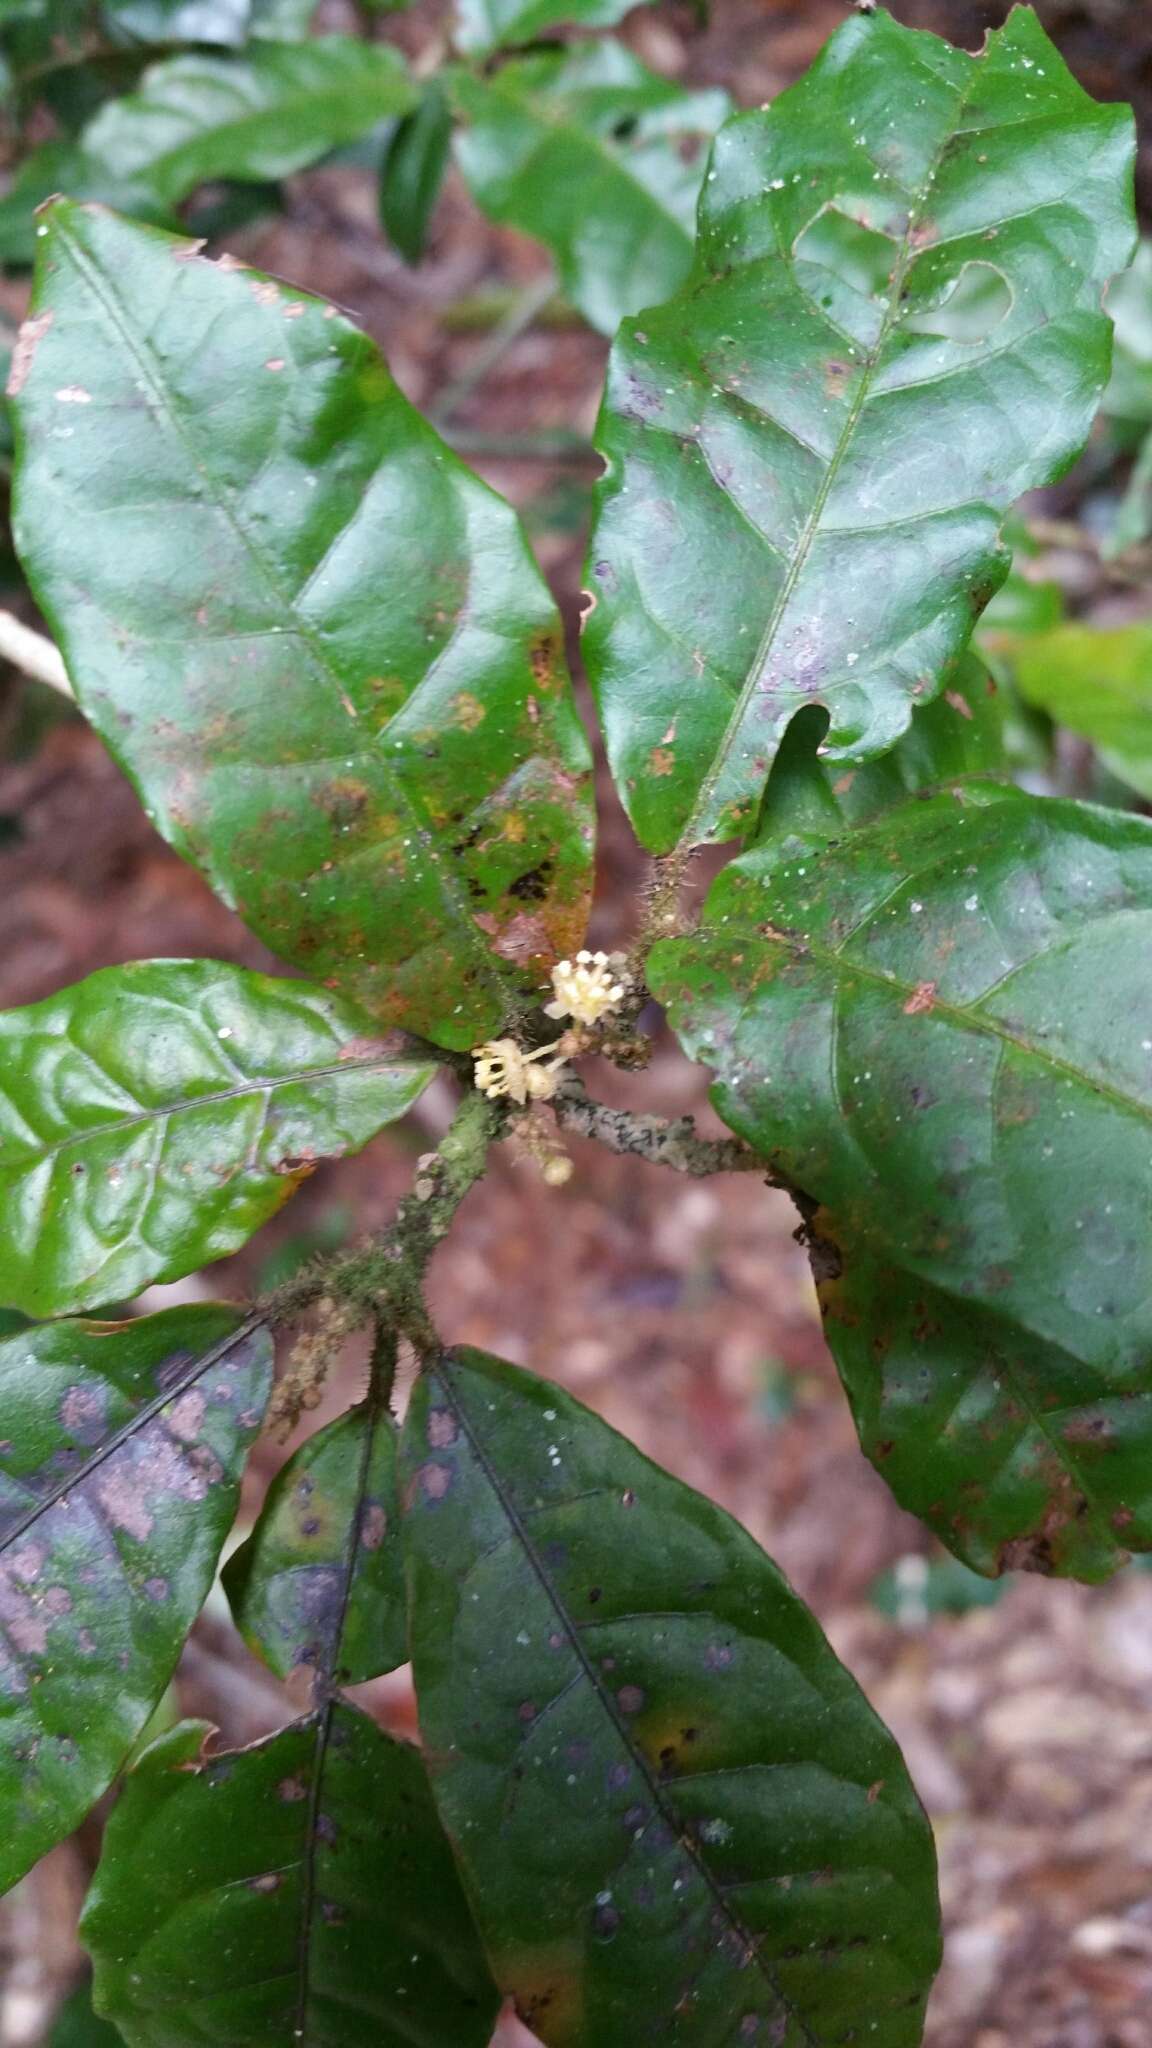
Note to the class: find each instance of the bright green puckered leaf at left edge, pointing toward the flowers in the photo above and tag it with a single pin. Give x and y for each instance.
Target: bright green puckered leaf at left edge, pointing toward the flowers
(155, 1115)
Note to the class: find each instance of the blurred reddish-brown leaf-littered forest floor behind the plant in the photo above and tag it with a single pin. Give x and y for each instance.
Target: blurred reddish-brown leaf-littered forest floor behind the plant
(682, 1312)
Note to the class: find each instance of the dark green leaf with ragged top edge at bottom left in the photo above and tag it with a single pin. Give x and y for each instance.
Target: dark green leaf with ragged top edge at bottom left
(294, 1891)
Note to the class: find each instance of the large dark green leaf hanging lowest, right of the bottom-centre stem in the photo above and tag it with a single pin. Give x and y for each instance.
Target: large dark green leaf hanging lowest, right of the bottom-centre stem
(667, 1797)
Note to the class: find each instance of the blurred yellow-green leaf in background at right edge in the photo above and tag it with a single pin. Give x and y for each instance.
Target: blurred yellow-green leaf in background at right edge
(1100, 685)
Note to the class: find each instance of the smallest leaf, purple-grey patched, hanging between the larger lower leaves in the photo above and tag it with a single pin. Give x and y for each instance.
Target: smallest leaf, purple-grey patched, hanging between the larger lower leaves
(319, 1588)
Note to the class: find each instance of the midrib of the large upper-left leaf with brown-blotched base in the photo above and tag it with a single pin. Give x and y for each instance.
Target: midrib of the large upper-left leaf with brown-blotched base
(229, 511)
